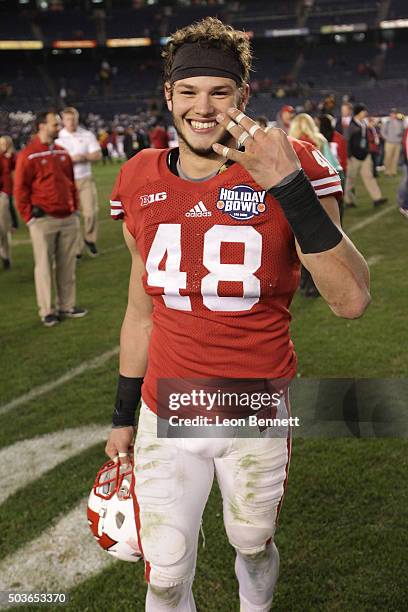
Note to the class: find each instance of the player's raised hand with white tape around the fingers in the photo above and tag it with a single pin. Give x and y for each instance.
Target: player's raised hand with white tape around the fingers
(268, 157)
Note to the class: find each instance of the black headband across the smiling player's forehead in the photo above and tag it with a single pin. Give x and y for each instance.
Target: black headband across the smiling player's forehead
(192, 59)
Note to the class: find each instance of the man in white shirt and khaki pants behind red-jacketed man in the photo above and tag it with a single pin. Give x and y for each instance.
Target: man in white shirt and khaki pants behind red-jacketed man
(83, 149)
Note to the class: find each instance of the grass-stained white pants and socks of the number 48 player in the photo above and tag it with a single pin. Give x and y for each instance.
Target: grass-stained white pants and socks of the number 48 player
(173, 481)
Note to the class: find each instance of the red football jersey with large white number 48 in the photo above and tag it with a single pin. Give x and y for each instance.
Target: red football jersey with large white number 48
(221, 267)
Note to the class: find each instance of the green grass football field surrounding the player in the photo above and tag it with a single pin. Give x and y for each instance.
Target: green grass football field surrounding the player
(343, 527)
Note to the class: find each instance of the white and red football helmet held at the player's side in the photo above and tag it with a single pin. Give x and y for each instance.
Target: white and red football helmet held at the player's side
(113, 511)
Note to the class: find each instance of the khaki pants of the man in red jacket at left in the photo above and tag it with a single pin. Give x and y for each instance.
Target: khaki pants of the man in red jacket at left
(54, 246)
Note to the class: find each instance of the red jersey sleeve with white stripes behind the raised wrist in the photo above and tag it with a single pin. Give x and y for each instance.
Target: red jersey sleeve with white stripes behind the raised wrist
(320, 172)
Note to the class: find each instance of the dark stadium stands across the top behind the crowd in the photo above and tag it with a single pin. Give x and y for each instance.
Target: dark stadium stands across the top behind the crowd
(358, 64)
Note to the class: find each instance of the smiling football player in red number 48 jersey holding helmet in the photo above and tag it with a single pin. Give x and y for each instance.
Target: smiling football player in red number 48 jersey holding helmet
(217, 229)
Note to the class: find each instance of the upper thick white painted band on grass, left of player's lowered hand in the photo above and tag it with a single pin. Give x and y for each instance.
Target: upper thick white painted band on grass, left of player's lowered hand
(32, 458)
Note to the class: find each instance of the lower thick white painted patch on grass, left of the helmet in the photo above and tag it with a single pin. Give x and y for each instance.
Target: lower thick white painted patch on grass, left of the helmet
(60, 558)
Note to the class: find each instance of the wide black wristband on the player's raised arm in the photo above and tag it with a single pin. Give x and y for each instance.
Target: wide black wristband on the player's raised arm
(312, 226)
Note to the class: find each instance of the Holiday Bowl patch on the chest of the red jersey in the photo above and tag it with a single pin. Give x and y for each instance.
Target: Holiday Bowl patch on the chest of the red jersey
(241, 202)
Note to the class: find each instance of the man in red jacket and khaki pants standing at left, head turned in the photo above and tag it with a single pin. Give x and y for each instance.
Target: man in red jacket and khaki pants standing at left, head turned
(46, 199)
